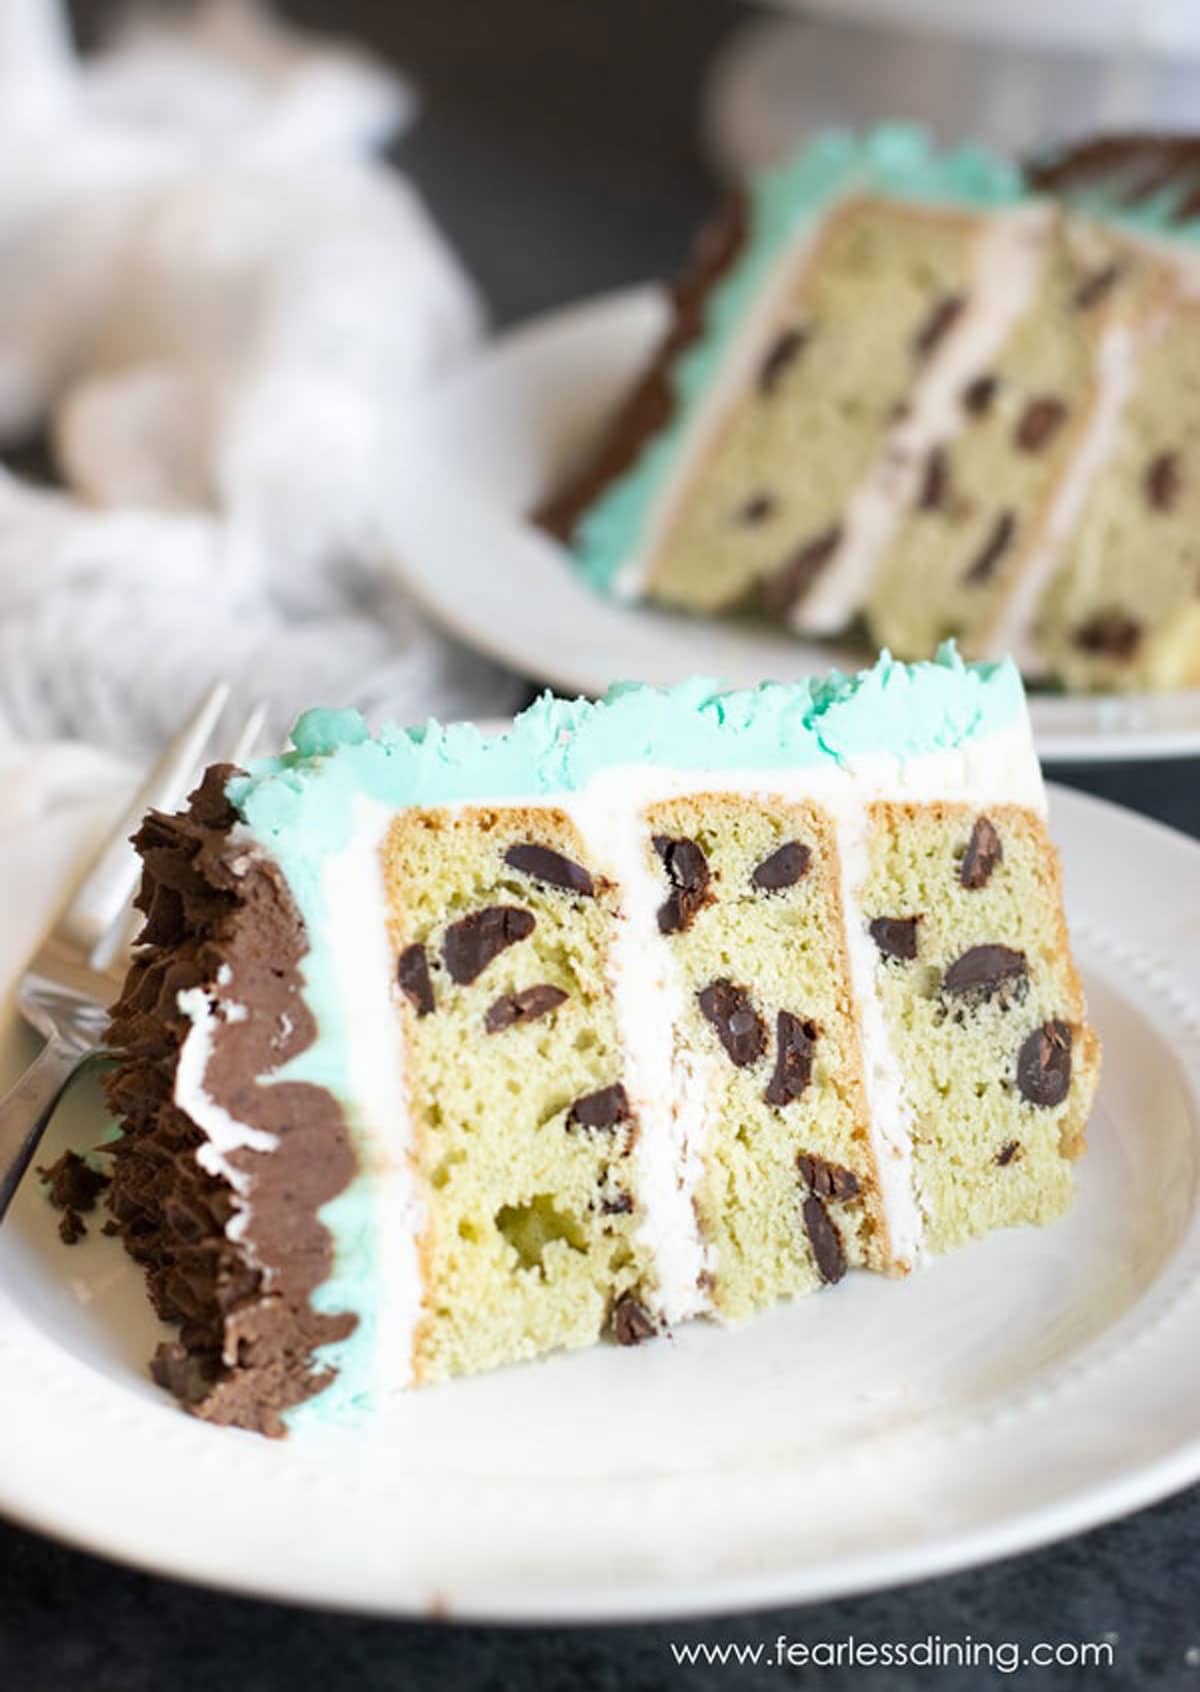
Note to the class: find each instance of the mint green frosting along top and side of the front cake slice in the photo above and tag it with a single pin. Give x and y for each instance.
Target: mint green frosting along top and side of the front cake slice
(300, 808)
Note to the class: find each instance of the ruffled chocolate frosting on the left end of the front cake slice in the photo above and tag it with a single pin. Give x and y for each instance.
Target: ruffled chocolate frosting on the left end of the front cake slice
(243, 1309)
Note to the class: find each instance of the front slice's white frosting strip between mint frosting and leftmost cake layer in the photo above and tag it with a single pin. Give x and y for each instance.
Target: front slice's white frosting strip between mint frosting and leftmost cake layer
(377, 1101)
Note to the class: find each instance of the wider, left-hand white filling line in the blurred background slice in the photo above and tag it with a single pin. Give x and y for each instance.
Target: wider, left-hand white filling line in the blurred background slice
(1008, 263)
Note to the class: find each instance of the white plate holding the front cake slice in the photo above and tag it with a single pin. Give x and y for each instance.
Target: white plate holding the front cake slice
(1021, 1390)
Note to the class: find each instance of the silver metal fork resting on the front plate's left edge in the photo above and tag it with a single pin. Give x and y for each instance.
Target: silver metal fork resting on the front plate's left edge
(80, 967)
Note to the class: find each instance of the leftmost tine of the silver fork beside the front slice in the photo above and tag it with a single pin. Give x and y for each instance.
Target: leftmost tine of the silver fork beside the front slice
(114, 874)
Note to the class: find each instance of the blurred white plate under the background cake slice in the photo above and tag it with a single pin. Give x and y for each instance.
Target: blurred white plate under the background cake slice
(473, 461)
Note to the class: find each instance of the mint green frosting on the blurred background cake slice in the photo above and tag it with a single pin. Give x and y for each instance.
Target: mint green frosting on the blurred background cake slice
(898, 162)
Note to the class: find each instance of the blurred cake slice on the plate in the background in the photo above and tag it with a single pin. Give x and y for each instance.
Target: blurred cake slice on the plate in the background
(894, 388)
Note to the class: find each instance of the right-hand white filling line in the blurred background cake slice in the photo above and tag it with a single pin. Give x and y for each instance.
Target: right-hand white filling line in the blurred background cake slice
(1116, 371)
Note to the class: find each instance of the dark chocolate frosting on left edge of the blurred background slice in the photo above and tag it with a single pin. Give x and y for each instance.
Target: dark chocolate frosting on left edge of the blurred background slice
(651, 404)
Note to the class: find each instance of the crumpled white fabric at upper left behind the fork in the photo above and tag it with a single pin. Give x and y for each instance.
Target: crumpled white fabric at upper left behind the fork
(223, 302)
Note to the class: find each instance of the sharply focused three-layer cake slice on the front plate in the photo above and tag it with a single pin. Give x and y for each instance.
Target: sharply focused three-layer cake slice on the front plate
(443, 1052)
